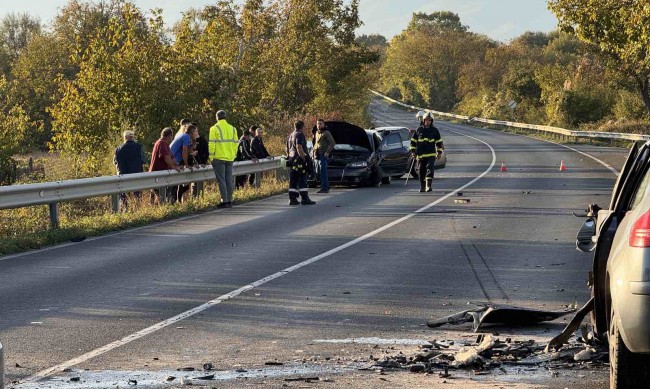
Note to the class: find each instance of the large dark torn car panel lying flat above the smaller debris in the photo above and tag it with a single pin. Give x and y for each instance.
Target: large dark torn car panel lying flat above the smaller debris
(488, 313)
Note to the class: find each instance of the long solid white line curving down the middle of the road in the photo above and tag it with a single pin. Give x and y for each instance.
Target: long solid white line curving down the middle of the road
(137, 335)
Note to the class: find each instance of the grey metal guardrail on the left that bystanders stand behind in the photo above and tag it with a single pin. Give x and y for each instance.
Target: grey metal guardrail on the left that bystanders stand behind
(52, 193)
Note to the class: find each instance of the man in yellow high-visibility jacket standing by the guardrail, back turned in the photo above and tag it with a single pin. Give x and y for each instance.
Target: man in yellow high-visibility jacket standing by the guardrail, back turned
(223, 143)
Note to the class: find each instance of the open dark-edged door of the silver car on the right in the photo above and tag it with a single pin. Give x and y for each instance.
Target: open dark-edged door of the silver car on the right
(608, 222)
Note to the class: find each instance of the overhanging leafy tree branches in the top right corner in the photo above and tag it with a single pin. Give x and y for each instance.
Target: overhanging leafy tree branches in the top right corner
(615, 28)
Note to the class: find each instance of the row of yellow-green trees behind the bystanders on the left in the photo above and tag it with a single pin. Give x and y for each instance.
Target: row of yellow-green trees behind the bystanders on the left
(100, 67)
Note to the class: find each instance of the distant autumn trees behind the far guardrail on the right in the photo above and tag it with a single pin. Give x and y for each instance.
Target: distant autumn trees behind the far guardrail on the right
(559, 78)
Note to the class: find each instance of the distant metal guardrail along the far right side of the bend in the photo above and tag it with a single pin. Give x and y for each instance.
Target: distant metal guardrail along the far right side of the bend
(556, 130)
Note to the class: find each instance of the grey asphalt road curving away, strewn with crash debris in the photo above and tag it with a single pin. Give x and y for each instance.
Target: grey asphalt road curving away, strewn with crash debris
(265, 282)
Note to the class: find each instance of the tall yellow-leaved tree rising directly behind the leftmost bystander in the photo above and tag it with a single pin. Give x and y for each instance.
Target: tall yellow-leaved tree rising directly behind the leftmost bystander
(121, 85)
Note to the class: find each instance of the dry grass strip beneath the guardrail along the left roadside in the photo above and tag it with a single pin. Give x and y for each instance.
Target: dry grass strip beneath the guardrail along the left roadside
(28, 228)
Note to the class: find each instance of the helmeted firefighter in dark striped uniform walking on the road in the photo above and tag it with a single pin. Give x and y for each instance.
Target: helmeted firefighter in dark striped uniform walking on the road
(427, 146)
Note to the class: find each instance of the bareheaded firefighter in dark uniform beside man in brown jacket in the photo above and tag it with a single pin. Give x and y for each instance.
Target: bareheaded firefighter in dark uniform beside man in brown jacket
(298, 160)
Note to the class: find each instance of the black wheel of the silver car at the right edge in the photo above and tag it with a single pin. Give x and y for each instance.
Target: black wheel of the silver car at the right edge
(626, 369)
